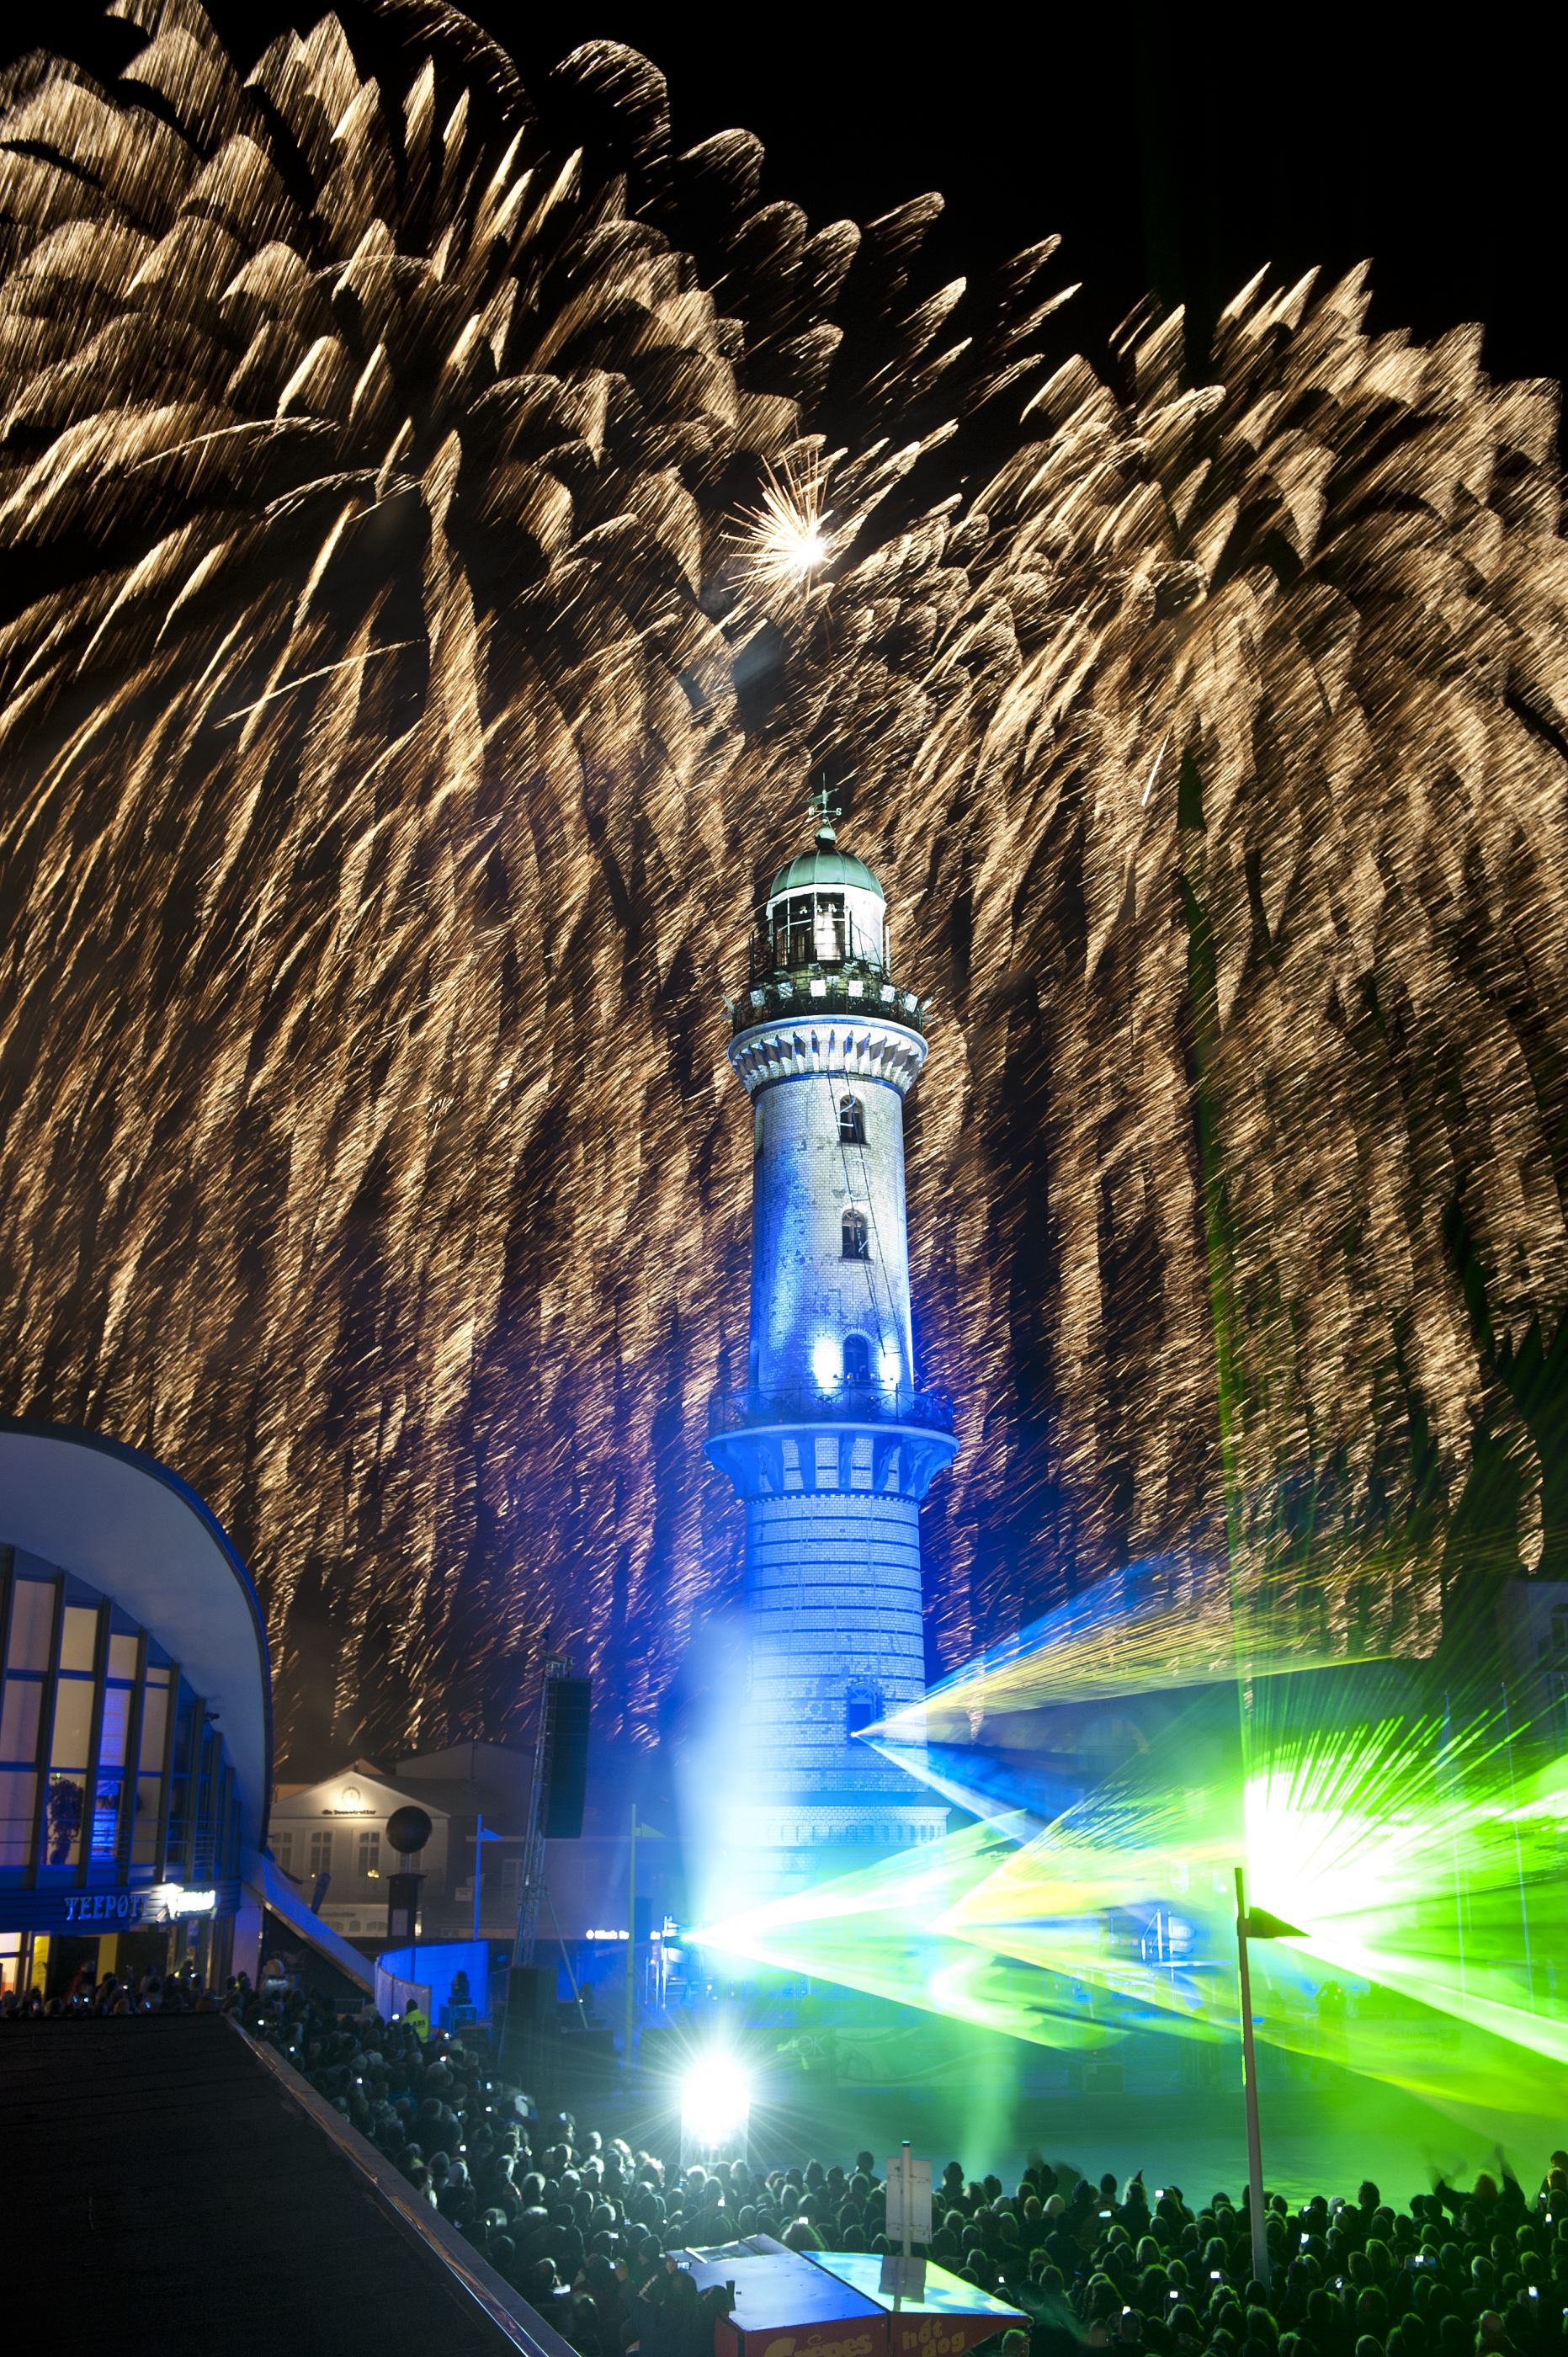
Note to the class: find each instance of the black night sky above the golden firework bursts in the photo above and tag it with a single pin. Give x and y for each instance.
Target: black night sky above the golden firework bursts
(1171, 145)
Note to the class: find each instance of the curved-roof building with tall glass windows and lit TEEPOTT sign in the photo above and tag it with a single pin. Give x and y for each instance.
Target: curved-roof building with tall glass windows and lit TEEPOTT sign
(126, 1823)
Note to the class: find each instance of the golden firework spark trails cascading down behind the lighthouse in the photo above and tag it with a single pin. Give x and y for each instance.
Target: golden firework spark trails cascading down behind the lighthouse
(367, 1135)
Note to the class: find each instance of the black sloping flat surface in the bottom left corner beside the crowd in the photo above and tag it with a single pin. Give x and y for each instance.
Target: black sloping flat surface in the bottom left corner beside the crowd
(173, 2196)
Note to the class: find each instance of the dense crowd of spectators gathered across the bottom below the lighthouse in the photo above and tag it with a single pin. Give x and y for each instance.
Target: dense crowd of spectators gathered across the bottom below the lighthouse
(584, 2226)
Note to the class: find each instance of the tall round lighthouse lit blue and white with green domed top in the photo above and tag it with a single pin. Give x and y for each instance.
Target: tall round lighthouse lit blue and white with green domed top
(834, 1441)
